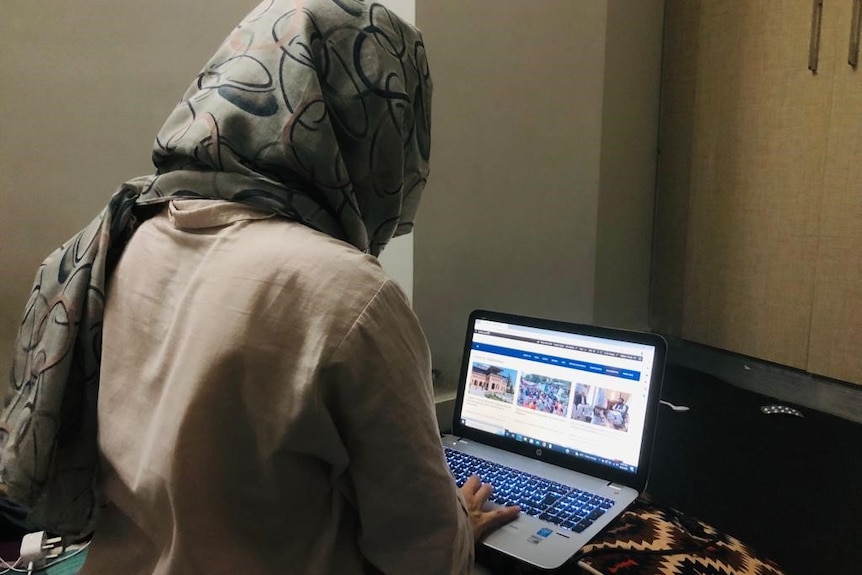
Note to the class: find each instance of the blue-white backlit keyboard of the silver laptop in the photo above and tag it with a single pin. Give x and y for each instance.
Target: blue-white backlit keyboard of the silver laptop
(559, 504)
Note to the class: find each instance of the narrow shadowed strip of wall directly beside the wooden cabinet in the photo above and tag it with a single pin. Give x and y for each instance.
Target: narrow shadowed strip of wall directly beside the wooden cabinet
(630, 116)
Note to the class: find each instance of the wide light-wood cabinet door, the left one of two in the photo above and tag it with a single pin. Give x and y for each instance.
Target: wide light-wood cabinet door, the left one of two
(761, 121)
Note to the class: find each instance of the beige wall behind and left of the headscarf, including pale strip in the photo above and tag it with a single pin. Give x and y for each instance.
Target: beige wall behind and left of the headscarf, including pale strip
(85, 91)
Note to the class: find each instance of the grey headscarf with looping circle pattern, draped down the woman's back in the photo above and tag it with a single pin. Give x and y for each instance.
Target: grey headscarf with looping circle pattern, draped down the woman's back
(317, 110)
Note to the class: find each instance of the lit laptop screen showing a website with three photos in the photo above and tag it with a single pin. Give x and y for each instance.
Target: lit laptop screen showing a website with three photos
(573, 393)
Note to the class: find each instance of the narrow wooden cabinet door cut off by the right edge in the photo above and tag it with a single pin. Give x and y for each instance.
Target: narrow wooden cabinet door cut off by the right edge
(836, 322)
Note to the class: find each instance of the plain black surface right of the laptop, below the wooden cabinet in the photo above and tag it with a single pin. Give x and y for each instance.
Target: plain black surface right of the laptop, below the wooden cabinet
(785, 485)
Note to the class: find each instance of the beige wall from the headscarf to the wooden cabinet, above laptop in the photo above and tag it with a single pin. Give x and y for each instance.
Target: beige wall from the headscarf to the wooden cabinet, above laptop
(543, 159)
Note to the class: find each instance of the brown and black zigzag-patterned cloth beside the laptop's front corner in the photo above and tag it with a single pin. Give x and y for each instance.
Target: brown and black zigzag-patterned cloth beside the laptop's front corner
(648, 527)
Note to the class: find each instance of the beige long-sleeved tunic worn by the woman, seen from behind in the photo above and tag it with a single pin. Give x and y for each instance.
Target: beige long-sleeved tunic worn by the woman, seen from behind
(266, 407)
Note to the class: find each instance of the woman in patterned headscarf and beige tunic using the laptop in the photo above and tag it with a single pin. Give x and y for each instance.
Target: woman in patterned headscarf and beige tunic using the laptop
(216, 375)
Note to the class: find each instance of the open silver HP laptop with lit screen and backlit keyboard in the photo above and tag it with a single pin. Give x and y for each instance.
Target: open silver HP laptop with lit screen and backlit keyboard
(559, 417)
